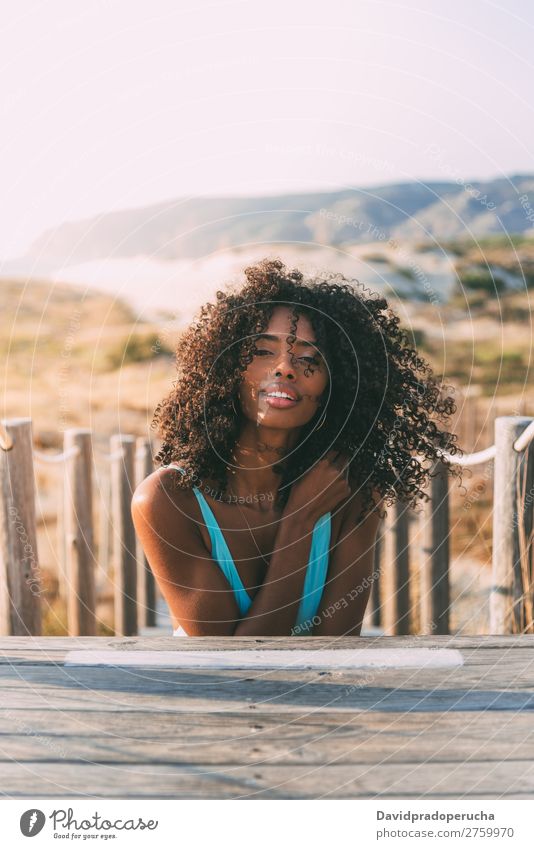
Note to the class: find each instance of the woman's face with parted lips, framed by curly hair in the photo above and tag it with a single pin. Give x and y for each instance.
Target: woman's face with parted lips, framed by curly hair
(297, 370)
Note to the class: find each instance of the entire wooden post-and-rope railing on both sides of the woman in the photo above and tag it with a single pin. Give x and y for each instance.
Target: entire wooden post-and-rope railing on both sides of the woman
(404, 533)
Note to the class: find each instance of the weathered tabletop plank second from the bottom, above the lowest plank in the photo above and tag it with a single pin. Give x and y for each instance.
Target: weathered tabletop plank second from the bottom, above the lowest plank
(277, 742)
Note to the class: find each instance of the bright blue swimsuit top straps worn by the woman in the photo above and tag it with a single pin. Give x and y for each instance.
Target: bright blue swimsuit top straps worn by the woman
(316, 569)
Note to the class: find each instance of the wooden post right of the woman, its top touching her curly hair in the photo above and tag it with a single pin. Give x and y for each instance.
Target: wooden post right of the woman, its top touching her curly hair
(434, 552)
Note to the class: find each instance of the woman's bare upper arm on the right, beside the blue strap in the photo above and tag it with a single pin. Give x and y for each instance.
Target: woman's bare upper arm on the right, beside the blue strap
(350, 574)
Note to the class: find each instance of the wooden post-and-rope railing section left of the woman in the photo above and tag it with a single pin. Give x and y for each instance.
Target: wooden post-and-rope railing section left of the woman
(130, 461)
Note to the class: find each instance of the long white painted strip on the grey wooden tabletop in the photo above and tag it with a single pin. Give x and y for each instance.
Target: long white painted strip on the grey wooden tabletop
(269, 659)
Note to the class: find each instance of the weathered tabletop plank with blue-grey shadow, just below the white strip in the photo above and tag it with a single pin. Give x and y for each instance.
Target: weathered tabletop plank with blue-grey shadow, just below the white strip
(214, 693)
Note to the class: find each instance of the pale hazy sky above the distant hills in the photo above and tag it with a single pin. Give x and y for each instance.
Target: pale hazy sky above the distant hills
(112, 103)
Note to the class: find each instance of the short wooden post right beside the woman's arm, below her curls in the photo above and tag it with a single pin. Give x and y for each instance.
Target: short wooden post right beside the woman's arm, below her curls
(396, 605)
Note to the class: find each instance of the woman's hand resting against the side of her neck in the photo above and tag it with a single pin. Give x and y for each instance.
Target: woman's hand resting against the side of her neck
(320, 489)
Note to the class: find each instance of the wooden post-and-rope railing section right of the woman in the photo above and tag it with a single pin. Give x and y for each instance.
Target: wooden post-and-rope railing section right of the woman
(427, 535)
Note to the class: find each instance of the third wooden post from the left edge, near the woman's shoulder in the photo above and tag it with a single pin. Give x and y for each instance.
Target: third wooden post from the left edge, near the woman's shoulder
(124, 554)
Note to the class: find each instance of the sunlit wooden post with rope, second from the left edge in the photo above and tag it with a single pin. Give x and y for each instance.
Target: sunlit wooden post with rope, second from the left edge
(79, 534)
